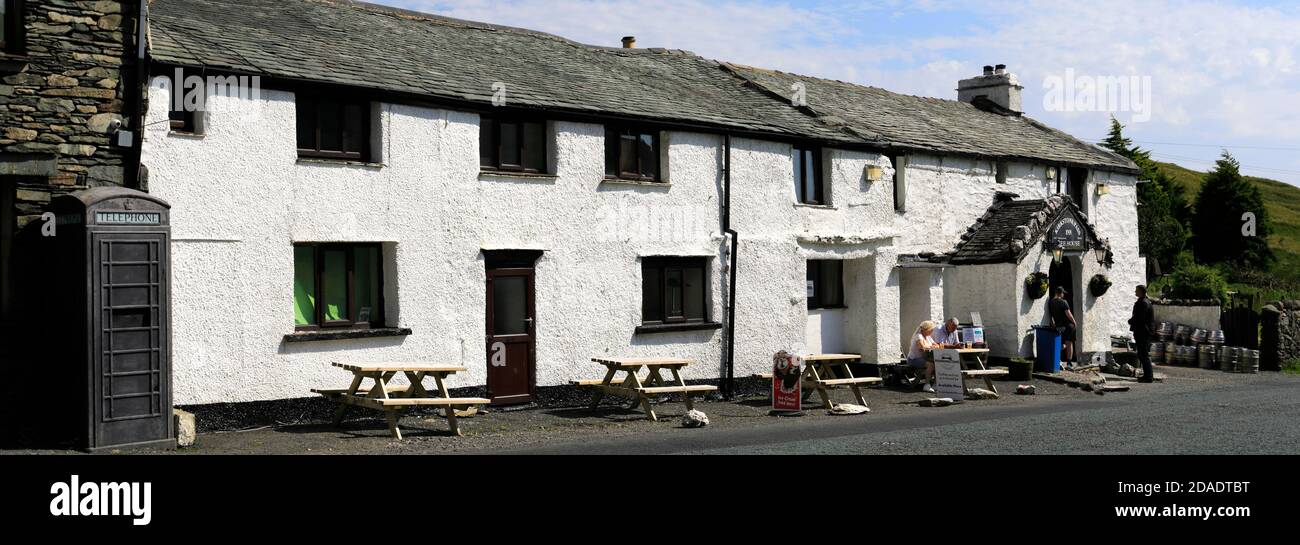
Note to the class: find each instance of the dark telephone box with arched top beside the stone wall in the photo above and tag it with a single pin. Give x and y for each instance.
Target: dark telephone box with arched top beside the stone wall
(116, 308)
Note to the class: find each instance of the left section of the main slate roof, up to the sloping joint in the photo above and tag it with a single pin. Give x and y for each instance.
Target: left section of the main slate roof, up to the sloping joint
(391, 50)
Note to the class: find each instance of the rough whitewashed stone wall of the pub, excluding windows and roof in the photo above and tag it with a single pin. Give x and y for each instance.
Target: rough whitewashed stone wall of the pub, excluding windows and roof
(241, 198)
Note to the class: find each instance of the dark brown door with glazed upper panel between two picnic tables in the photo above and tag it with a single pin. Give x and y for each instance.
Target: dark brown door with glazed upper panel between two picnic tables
(512, 339)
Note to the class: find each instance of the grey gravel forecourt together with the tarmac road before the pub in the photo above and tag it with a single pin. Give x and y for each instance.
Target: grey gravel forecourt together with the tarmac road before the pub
(1193, 412)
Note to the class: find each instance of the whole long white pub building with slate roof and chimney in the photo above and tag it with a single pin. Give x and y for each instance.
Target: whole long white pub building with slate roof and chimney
(408, 188)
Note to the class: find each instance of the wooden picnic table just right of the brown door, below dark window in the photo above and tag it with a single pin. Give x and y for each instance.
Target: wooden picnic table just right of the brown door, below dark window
(632, 386)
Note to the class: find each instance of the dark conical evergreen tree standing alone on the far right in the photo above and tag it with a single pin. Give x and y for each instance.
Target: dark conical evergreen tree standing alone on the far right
(1219, 231)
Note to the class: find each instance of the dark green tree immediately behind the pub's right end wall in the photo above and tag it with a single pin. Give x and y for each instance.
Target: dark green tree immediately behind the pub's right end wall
(1162, 233)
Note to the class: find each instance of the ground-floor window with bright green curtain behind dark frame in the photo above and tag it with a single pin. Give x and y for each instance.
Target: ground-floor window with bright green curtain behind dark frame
(339, 286)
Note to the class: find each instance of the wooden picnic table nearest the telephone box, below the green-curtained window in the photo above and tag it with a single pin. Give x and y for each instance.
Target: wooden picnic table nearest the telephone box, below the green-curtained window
(395, 399)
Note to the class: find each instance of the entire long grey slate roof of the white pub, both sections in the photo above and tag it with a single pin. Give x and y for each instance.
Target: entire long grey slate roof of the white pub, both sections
(392, 50)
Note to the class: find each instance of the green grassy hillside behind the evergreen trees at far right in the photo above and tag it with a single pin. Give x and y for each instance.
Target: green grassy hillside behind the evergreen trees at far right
(1281, 200)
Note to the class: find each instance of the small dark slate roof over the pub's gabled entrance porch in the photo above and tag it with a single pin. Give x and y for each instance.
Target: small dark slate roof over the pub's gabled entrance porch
(1011, 228)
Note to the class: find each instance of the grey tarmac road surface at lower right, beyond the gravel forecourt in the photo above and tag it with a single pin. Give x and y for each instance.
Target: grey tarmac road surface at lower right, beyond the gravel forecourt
(1199, 413)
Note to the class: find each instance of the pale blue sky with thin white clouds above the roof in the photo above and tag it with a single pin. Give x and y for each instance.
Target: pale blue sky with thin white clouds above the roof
(1221, 73)
